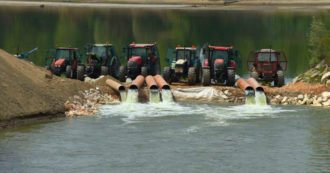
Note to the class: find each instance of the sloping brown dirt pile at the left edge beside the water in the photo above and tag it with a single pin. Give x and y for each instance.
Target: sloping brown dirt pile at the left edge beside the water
(28, 90)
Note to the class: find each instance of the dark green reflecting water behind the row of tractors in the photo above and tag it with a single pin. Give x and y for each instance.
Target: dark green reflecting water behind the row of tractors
(27, 28)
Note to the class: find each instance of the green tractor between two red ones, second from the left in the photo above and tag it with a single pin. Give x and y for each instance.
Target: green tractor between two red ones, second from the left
(101, 59)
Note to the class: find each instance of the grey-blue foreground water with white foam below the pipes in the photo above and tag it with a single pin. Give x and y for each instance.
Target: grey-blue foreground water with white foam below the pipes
(170, 137)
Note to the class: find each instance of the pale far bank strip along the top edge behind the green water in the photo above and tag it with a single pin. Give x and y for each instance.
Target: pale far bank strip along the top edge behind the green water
(181, 4)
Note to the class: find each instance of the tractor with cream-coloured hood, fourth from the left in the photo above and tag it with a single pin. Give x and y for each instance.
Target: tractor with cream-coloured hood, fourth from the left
(184, 63)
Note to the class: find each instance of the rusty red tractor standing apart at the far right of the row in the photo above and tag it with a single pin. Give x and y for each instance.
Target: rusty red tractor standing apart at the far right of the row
(267, 65)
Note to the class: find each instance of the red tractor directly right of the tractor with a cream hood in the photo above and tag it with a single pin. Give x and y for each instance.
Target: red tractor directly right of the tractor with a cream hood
(219, 64)
